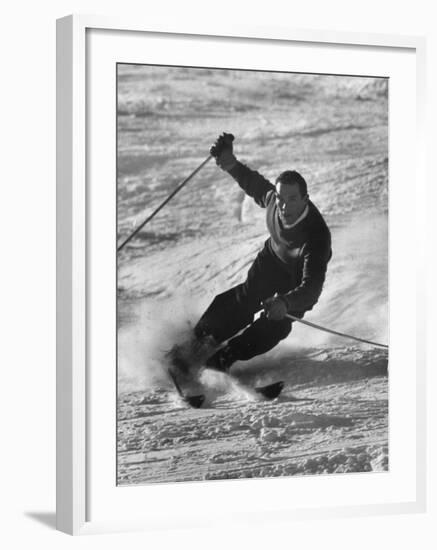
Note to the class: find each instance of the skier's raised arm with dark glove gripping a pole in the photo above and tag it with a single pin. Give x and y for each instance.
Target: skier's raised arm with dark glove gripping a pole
(253, 183)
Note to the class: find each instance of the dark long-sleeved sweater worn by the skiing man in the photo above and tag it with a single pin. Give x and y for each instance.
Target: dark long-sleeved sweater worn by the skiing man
(303, 250)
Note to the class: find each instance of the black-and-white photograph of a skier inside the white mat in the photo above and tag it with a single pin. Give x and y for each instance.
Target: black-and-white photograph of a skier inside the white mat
(252, 274)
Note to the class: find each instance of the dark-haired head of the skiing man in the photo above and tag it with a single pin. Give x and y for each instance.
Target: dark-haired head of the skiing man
(292, 196)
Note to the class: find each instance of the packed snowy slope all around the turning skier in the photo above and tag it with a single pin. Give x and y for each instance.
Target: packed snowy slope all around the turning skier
(333, 413)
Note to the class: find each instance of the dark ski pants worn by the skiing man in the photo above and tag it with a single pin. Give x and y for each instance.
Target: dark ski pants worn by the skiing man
(234, 310)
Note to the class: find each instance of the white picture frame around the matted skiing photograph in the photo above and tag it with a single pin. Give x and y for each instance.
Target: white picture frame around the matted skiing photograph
(75, 341)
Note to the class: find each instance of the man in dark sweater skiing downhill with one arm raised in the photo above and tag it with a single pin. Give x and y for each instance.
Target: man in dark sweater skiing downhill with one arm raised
(286, 277)
